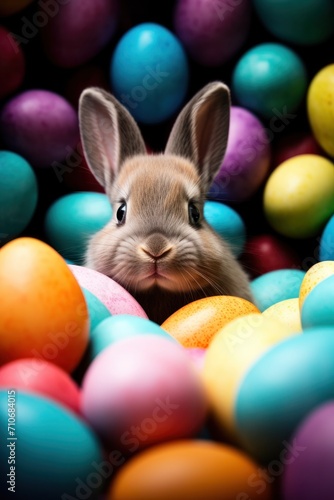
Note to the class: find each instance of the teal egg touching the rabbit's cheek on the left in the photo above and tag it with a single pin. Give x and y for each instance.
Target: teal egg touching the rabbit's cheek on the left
(72, 219)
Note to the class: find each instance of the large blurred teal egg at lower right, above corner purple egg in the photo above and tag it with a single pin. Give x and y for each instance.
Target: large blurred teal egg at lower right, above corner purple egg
(280, 389)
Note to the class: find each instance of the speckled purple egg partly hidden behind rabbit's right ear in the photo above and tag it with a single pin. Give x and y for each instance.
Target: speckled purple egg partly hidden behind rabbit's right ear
(246, 161)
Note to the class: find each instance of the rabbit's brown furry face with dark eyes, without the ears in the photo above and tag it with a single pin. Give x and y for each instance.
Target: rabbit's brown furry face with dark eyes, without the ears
(154, 238)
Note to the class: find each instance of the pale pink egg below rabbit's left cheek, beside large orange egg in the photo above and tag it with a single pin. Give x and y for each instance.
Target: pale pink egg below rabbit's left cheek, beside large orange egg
(116, 299)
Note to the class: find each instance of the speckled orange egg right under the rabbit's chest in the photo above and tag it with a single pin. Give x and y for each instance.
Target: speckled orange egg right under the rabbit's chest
(195, 324)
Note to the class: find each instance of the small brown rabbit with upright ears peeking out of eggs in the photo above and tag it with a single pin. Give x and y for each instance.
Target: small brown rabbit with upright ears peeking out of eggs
(158, 245)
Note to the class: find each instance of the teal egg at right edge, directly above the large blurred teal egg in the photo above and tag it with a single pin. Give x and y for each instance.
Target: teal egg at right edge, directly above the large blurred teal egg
(318, 307)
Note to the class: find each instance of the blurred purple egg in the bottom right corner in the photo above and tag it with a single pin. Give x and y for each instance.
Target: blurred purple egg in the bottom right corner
(308, 472)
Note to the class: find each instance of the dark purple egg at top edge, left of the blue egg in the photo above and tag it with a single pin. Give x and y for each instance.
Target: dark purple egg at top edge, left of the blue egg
(78, 30)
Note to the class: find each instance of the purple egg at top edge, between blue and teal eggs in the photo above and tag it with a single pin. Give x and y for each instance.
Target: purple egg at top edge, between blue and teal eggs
(212, 33)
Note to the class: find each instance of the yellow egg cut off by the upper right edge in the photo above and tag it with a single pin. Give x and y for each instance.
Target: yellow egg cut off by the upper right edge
(320, 107)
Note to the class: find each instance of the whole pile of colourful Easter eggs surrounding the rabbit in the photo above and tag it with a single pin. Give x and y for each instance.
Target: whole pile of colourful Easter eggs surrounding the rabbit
(227, 399)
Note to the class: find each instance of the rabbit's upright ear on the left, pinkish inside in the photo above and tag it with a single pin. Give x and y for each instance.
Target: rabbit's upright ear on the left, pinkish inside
(109, 134)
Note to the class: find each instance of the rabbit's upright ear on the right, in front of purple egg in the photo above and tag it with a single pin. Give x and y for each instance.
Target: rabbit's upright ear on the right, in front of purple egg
(200, 132)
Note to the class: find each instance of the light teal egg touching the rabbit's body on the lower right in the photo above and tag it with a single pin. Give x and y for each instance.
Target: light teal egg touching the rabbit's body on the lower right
(275, 286)
